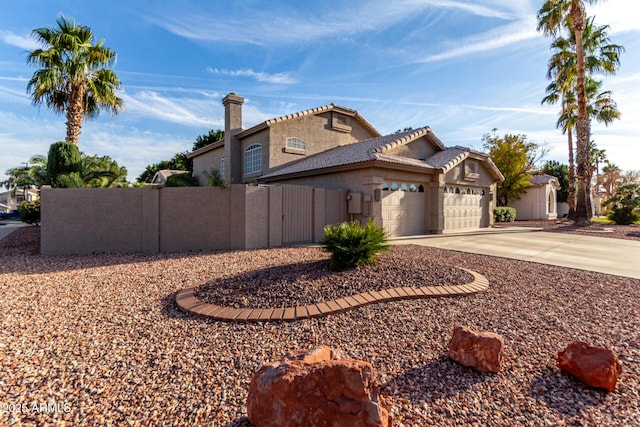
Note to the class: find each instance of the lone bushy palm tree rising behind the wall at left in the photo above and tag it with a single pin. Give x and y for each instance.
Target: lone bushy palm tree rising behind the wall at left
(72, 78)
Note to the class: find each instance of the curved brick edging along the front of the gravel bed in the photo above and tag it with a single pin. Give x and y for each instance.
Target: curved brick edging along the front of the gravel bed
(187, 302)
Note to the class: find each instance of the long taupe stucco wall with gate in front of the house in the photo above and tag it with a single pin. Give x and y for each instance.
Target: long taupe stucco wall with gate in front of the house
(154, 219)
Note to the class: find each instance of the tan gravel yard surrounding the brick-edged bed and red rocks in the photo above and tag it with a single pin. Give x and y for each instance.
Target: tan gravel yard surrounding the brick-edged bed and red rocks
(98, 340)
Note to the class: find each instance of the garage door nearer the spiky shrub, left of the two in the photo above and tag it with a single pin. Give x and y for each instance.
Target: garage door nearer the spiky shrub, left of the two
(403, 212)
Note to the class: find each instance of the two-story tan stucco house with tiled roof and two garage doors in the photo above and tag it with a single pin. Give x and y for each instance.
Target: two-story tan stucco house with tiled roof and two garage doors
(409, 182)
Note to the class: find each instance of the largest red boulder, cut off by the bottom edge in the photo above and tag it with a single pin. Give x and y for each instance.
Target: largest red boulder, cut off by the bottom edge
(316, 389)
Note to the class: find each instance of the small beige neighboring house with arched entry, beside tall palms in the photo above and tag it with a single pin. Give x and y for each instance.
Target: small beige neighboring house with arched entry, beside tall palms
(540, 200)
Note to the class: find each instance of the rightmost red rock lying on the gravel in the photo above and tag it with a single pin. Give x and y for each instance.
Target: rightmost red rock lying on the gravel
(594, 366)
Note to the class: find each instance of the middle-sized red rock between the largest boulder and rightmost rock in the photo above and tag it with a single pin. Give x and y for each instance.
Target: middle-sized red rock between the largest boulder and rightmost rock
(478, 350)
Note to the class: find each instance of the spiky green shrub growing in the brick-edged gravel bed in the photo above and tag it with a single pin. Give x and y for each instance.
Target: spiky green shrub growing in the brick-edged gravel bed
(352, 245)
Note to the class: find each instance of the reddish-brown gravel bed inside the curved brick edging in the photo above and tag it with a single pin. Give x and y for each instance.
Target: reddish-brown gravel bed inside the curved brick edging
(274, 284)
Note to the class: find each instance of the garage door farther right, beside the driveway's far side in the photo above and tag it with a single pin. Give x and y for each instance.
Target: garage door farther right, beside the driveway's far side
(463, 209)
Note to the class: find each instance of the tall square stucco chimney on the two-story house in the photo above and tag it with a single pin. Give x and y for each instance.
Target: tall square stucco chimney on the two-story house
(232, 149)
